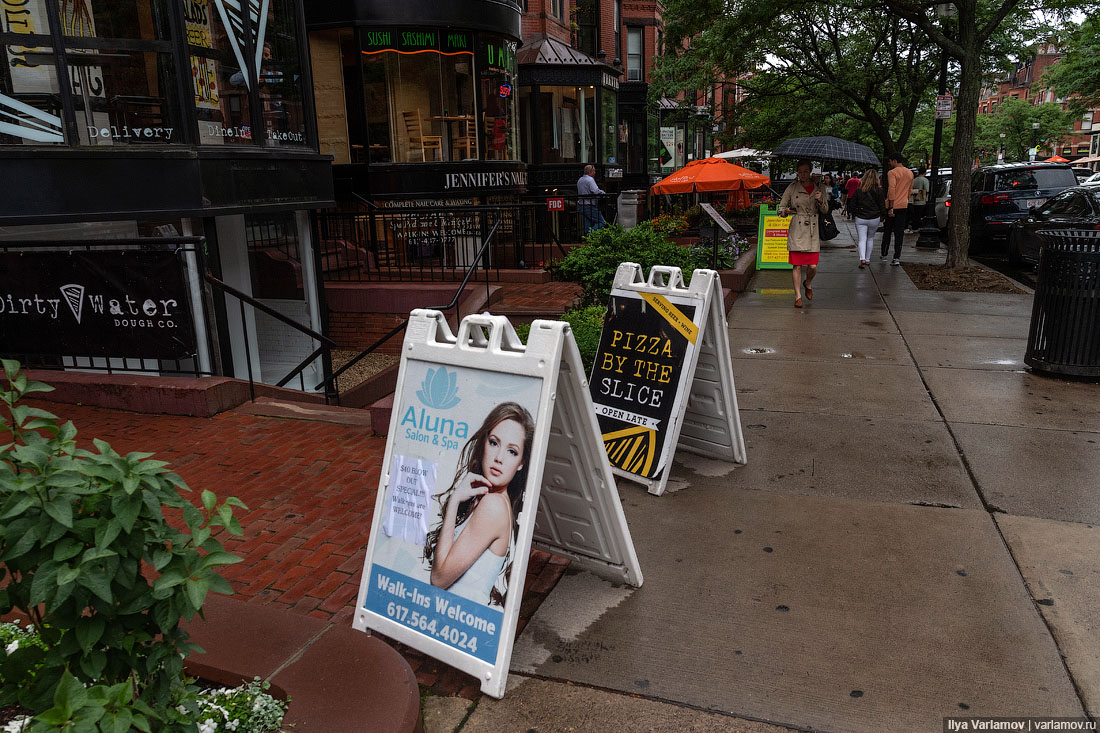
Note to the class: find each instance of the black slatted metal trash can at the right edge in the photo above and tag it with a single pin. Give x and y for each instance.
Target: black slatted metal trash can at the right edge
(1064, 337)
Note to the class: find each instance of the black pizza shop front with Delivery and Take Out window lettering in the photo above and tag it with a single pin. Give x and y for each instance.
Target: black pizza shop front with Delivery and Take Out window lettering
(123, 121)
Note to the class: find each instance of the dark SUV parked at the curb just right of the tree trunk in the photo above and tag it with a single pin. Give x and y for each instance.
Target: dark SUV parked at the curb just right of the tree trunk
(1002, 194)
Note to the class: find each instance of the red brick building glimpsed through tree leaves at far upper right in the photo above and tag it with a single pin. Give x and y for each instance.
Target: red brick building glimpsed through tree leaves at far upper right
(1025, 82)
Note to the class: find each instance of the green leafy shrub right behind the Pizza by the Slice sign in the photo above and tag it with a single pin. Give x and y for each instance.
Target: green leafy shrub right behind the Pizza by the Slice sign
(595, 264)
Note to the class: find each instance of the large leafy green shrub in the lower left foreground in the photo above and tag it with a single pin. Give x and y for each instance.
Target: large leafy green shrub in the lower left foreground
(89, 555)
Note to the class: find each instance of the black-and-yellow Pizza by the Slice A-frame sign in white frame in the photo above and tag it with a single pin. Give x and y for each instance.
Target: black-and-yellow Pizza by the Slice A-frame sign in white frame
(664, 377)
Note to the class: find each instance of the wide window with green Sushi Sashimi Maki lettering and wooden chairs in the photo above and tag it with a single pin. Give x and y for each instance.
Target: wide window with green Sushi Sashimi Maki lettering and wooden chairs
(420, 96)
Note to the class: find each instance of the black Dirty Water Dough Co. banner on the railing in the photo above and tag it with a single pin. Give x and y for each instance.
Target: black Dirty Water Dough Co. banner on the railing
(96, 304)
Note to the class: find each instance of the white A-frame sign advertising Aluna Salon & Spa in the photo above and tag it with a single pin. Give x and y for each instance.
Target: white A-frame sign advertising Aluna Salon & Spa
(512, 429)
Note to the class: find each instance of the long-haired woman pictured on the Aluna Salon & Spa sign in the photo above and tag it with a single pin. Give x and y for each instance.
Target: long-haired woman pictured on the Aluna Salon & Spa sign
(470, 551)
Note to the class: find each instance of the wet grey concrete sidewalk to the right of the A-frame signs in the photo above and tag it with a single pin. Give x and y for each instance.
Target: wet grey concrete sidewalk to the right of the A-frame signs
(914, 538)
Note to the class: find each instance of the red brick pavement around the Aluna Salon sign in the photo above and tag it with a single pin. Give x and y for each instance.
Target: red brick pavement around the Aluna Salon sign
(311, 490)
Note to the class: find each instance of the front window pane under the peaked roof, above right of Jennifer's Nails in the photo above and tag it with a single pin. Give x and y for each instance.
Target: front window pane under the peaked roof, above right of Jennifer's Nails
(568, 124)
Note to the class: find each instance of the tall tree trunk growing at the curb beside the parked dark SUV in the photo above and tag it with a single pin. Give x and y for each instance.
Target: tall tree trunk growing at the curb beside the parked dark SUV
(966, 124)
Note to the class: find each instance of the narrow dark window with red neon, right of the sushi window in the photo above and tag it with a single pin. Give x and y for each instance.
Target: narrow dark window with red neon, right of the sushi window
(498, 64)
